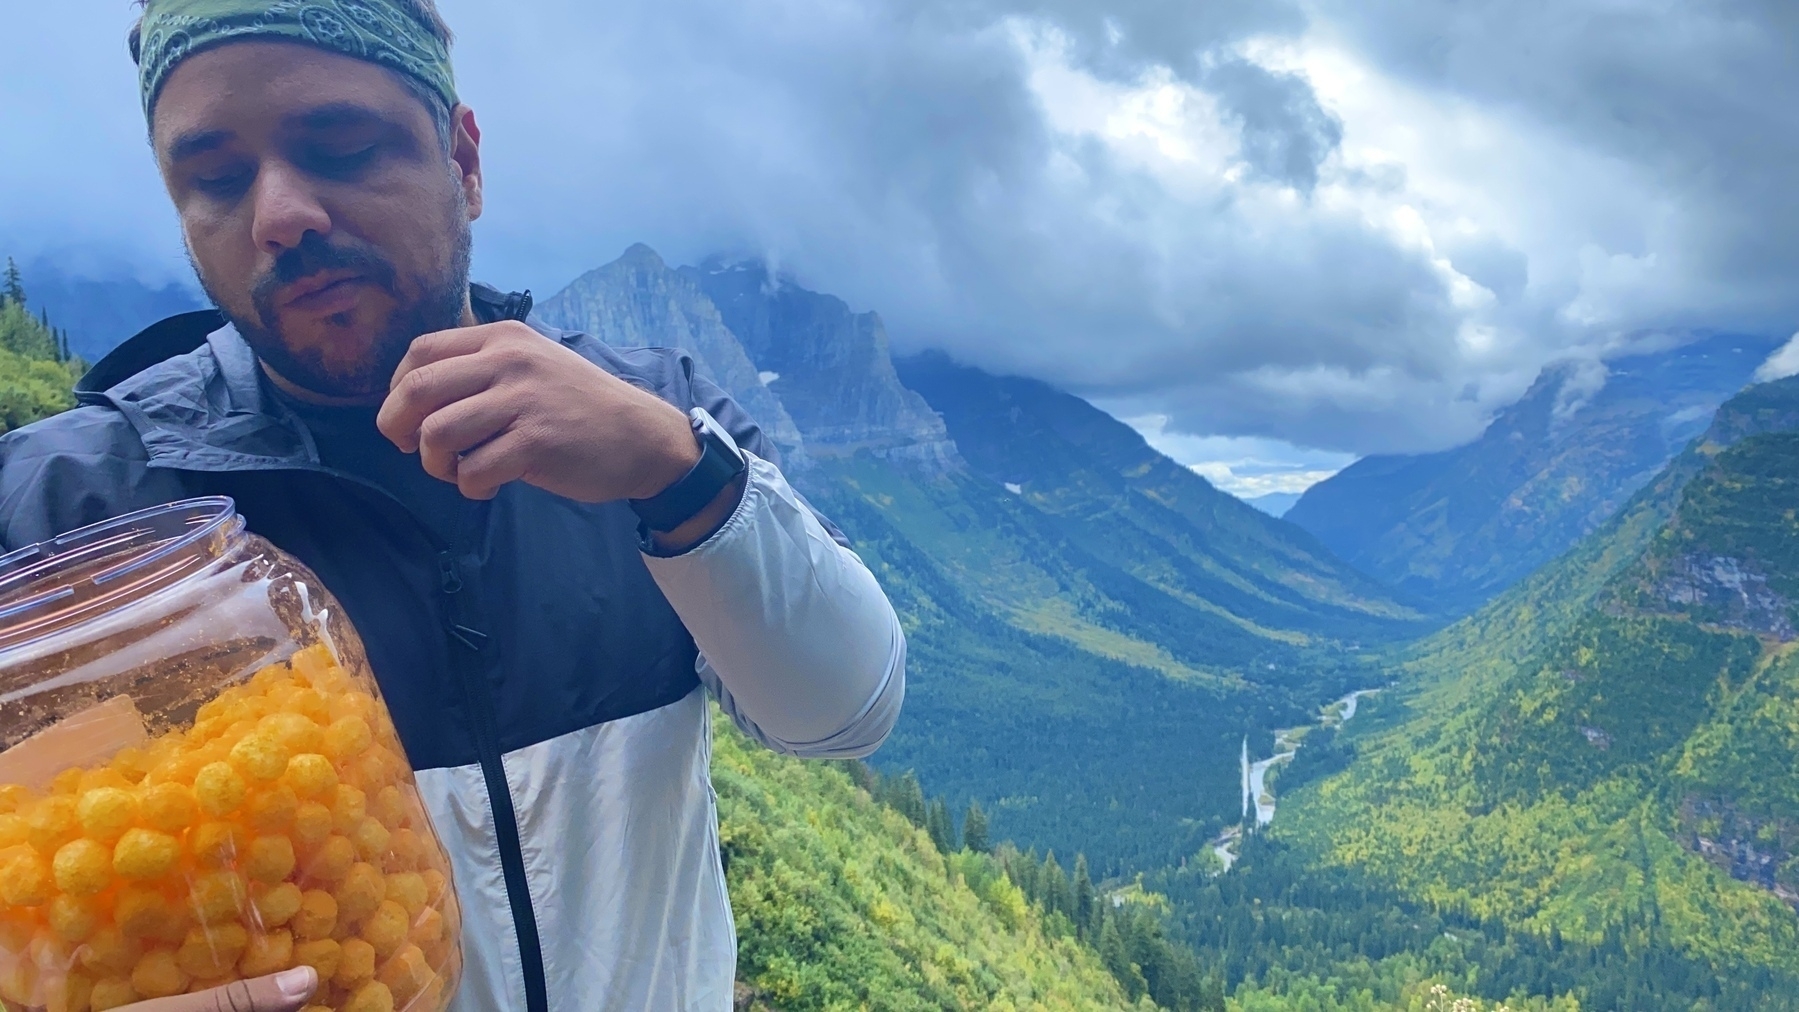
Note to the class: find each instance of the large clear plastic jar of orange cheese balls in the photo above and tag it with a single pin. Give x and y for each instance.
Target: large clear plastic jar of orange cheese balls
(201, 781)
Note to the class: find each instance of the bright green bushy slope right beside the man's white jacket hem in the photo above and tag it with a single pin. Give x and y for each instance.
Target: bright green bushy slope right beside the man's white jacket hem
(843, 903)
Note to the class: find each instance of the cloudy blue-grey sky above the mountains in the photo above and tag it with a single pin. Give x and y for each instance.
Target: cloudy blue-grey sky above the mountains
(1273, 235)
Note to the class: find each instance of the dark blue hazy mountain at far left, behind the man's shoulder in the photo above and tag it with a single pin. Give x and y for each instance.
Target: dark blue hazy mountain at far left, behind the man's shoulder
(102, 312)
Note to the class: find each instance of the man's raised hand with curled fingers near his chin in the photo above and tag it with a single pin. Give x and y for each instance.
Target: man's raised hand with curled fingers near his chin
(499, 404)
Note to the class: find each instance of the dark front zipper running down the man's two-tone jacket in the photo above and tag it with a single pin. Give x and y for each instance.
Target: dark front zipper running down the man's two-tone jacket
(467, 657)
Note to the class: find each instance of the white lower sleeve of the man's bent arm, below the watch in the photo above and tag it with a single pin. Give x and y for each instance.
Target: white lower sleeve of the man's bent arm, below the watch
(796, 637)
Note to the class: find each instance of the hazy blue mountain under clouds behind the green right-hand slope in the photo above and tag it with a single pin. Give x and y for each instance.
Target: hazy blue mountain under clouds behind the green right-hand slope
(1462, 526)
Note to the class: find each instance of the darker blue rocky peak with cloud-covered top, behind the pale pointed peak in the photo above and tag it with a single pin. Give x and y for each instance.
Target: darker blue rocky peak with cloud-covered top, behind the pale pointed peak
(828, 366)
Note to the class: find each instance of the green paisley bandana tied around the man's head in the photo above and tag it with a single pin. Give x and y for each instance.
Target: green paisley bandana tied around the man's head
(379, 31)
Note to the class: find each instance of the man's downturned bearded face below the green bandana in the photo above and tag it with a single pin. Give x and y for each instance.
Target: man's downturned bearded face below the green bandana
(319, 206)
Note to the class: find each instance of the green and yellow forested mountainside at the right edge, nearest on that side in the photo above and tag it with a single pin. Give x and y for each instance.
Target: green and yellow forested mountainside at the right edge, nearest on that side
(1606, 754)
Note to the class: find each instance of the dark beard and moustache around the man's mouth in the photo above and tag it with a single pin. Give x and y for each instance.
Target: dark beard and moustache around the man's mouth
(434, 305)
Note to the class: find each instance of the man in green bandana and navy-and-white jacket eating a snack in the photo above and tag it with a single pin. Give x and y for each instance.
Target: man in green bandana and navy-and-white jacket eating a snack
(550, 546)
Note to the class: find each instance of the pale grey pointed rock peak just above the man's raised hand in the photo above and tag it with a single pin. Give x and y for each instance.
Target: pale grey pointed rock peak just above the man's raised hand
(640, 301)
